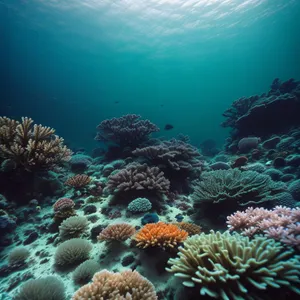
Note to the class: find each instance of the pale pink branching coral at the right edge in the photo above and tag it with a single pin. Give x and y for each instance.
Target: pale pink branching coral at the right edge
(281, 223)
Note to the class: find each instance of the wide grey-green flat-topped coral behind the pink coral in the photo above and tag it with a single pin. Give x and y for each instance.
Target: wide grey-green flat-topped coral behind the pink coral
(243, 188)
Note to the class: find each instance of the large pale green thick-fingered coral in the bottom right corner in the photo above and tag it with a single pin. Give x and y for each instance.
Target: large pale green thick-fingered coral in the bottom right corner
(227, 266)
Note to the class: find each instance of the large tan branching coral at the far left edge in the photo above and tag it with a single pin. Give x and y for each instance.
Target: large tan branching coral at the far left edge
(31, 146)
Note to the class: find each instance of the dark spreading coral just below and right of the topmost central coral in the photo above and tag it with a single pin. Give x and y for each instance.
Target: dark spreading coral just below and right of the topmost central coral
(175, 154)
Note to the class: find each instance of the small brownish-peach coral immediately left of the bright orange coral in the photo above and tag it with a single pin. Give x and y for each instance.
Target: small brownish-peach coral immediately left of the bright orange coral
(116, 232)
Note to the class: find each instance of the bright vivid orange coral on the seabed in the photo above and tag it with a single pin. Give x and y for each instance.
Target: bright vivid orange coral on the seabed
(160, 235)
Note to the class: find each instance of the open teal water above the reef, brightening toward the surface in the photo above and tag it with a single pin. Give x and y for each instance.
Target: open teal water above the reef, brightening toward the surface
(66, 63)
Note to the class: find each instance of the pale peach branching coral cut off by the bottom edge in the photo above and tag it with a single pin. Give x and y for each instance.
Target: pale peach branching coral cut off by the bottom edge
(126, 285)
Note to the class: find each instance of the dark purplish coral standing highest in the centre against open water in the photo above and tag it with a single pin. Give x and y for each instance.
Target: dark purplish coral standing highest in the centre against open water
(126, 131)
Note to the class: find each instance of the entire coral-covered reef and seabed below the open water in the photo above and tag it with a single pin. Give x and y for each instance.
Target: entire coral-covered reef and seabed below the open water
(144, 214)
